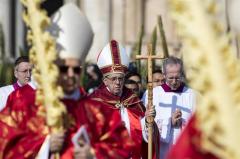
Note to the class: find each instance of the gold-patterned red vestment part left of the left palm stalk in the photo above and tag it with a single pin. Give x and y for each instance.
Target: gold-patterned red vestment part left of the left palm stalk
(21, 131)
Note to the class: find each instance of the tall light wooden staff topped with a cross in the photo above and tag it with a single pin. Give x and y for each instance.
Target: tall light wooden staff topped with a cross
(150, 119)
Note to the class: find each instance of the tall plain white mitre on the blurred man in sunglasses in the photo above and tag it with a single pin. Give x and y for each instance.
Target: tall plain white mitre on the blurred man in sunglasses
(72, 31)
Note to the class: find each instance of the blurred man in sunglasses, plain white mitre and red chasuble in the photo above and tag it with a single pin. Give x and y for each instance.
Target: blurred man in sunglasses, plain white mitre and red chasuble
(23, 130)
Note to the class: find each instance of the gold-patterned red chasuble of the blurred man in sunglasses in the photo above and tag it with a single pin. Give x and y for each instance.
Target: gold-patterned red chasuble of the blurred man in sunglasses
(23, 129)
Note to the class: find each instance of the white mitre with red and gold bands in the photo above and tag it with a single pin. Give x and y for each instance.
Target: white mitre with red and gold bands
(113, 59)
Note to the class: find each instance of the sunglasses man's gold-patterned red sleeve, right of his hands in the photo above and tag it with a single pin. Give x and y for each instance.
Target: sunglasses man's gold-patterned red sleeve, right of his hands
(108, 136)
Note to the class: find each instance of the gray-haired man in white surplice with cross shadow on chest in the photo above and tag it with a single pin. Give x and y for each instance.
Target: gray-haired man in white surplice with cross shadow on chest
(174, 103)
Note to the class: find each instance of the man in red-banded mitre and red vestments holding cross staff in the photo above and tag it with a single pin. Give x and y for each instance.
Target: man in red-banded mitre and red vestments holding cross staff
(113, 62)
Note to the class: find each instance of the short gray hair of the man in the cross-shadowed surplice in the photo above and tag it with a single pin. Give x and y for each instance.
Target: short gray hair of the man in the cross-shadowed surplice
(171, 60)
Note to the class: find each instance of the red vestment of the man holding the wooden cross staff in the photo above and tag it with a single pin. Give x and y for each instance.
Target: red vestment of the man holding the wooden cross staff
(135, 110)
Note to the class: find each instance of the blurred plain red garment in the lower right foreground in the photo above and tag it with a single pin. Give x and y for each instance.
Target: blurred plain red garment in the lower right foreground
(189, 144)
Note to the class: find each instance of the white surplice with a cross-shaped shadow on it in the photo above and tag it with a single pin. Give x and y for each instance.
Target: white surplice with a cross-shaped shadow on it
(165, 104)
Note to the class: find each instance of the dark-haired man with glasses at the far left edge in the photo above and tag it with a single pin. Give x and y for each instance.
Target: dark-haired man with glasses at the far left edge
(22, 72)
